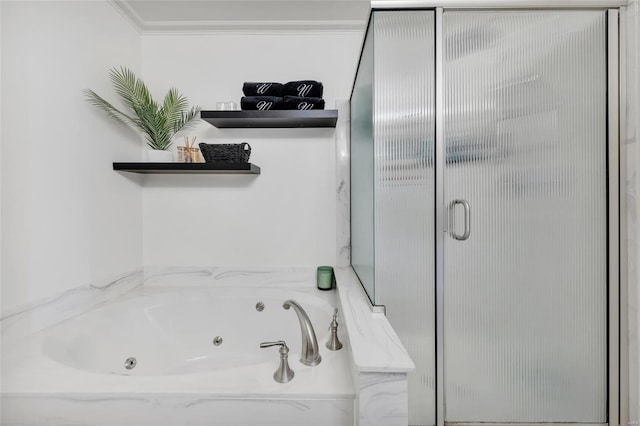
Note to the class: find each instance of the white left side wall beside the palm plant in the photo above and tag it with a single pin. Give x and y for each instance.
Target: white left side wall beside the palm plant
(67, 218)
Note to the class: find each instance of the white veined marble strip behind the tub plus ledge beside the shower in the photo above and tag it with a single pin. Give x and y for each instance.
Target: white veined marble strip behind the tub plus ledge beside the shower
(379, 362)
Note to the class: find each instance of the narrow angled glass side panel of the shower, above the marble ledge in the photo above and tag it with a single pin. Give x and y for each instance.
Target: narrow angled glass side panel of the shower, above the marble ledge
(362, 244)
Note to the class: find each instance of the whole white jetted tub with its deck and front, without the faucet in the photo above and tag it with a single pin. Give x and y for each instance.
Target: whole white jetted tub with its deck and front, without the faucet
(197, 361)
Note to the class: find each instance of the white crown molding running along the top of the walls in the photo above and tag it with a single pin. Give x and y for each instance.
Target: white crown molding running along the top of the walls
(145, 27)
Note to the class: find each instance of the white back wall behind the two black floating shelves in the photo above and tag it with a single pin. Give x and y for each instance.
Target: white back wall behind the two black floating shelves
(286, 215)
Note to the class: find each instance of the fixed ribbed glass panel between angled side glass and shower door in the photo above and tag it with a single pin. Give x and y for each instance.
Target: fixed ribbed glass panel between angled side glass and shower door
(404, 124)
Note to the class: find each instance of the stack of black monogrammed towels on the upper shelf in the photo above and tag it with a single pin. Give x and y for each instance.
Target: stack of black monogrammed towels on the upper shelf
(299, 95)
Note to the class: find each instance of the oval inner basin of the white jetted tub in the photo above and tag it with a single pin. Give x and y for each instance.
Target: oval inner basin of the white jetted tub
(171, 332)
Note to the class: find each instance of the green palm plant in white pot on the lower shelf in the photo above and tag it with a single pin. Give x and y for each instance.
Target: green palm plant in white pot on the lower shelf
(158, 122)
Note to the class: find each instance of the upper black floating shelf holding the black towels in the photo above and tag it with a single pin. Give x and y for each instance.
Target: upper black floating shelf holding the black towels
(271, 119)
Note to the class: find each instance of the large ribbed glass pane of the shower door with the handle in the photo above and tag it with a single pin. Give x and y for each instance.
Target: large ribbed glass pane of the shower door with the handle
(526, 294)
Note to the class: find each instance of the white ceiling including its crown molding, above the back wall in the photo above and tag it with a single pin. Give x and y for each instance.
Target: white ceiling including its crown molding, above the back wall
(230, 15)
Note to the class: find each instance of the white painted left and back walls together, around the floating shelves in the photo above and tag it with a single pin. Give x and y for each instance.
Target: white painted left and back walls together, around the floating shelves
(69, 220)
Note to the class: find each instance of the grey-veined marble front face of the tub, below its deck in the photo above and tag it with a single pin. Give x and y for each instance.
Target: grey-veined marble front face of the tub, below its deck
(141, 409)
